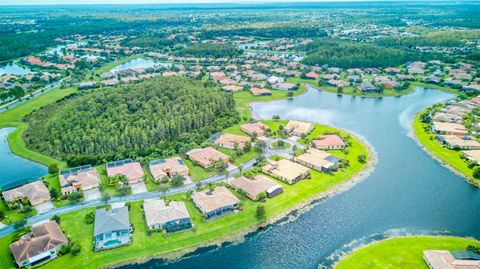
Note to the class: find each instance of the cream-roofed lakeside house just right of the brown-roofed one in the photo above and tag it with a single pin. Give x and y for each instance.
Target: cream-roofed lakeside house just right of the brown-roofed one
(286, 170)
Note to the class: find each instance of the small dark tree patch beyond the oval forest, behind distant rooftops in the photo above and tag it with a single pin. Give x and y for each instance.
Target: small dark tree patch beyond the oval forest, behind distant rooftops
(209, 50)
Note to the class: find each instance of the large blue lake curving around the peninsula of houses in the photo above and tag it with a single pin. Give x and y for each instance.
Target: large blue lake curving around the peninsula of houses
(408, 192)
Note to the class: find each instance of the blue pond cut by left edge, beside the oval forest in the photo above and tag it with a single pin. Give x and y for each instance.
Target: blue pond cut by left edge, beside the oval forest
(15, 170)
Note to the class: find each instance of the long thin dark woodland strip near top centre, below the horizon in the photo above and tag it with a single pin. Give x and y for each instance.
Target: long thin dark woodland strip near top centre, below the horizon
(279, 31)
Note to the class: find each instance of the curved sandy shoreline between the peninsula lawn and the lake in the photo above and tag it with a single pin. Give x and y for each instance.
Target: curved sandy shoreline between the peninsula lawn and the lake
(281, 218)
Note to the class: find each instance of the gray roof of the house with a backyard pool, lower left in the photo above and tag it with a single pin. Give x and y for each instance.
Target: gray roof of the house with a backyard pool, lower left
(113, 220)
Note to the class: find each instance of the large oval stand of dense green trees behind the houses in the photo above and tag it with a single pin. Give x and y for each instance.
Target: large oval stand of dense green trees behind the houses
(158, 117)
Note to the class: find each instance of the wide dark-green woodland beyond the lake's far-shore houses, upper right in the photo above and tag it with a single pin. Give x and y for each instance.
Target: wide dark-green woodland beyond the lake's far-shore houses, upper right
(353, 54)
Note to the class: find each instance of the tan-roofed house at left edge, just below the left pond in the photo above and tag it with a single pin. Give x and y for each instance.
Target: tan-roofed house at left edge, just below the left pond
(36, 193)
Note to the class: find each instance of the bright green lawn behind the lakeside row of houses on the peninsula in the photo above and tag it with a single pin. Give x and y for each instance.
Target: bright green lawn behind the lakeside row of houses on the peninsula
(147, 245)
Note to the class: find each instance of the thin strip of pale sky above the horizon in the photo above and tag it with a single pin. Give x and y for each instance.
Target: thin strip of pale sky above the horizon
(87, 2)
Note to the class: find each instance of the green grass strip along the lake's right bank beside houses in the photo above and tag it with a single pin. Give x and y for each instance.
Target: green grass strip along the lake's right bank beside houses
(449, 156)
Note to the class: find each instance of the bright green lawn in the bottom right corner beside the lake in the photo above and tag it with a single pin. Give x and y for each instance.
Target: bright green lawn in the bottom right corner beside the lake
(402, 252)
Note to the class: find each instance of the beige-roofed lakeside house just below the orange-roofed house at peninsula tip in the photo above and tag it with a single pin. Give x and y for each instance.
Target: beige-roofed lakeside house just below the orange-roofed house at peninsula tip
(317, 159)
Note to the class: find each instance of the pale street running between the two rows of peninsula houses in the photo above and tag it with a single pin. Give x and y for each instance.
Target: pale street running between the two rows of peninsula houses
(128, 198)
